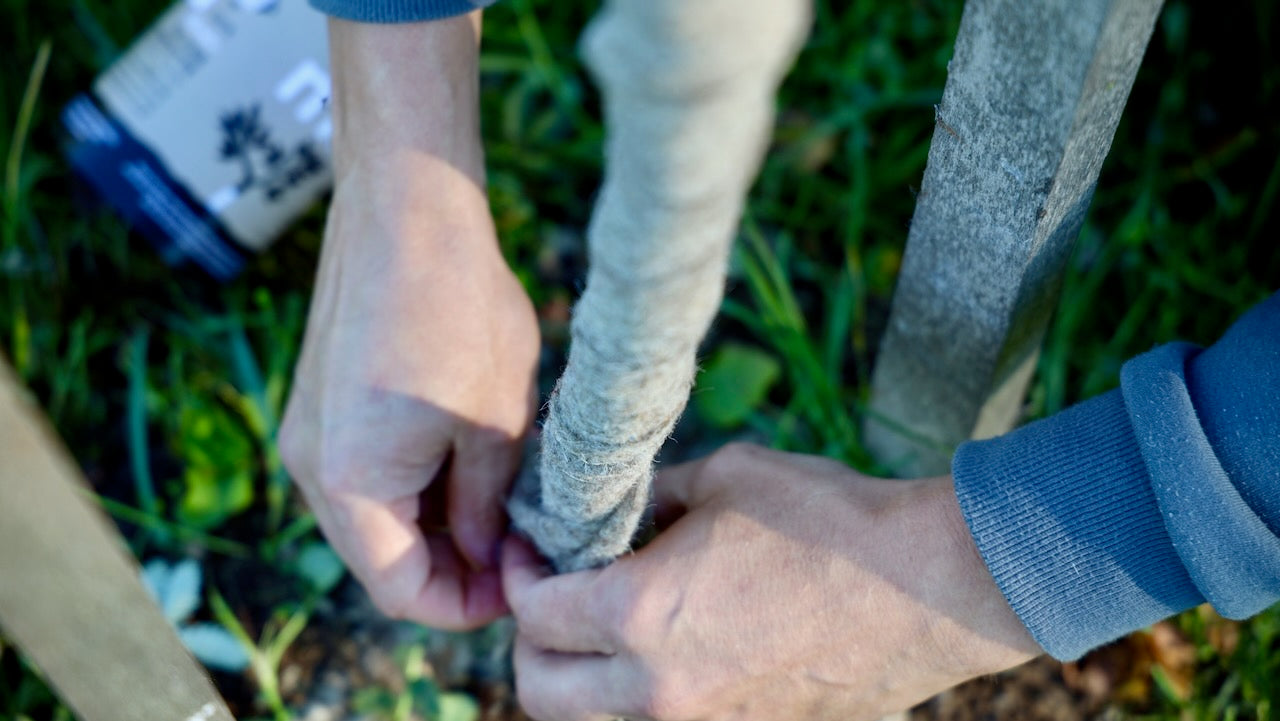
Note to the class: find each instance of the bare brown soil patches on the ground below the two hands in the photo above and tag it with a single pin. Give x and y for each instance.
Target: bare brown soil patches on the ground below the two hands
(350, 646)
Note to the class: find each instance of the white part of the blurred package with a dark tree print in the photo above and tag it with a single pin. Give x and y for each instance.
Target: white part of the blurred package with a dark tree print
(232, 98)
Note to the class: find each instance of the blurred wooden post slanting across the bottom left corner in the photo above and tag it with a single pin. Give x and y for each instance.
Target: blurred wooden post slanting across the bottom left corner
(70, 592)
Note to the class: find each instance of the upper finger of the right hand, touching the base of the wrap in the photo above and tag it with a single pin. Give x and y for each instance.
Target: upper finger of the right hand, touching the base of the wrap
(563, 613)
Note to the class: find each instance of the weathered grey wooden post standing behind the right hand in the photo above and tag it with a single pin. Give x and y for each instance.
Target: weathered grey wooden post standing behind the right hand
(1034, 97)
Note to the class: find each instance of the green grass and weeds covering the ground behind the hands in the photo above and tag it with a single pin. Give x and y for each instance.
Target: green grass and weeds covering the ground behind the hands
(168, 389)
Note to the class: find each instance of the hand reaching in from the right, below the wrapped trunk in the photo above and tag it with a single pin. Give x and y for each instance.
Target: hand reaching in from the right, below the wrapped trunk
(788, 587)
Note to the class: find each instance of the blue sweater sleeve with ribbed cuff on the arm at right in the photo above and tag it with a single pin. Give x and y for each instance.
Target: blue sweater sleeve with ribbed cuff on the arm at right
(1141, 503)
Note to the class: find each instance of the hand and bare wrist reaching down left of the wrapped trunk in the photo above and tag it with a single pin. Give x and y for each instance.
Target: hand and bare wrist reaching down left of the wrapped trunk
(418, 373)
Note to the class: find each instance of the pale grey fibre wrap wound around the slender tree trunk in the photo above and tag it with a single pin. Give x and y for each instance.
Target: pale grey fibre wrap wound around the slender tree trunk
(689, 95)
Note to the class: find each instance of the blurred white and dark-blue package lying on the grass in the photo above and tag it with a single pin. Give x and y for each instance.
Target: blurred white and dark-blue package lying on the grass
(211, 135)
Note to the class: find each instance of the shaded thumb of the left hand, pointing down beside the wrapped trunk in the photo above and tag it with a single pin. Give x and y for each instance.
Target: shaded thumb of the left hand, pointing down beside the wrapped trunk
(484, 466)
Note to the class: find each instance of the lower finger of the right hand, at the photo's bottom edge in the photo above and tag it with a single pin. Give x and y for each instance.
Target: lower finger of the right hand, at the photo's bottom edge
(561, 687)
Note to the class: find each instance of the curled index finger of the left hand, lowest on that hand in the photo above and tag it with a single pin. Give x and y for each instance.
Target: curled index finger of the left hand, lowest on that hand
(406, 577)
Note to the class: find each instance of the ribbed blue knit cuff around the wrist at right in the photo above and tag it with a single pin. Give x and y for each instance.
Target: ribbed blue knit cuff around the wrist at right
(1066, 518)
